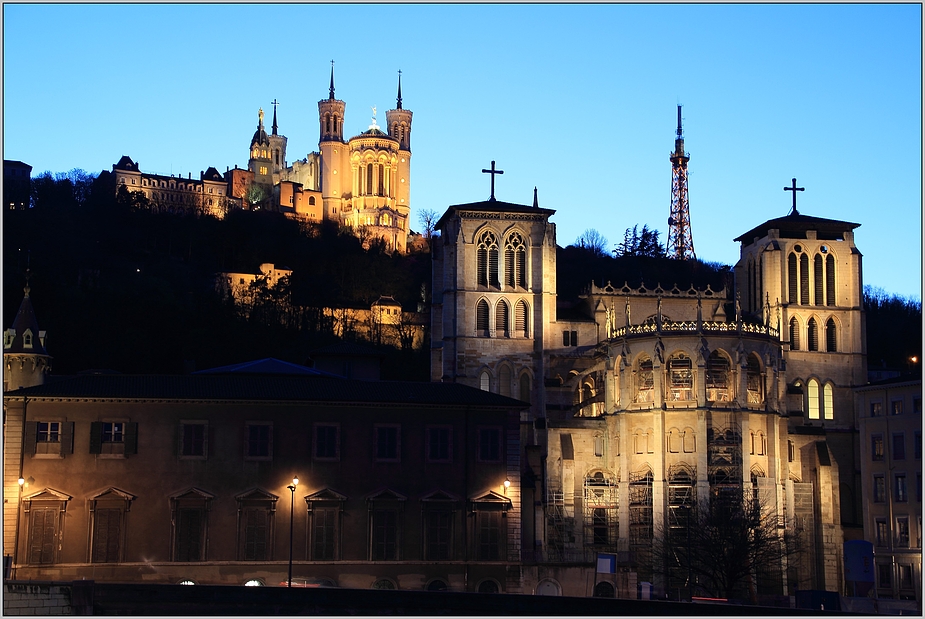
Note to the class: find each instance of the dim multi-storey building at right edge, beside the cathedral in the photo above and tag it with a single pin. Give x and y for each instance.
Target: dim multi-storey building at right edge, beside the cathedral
(890, 419)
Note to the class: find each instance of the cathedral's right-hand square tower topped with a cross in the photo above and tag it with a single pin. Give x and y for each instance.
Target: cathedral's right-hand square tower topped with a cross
(802, 274)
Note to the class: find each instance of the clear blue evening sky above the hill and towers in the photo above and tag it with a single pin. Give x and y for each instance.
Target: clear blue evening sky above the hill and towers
(577, 100)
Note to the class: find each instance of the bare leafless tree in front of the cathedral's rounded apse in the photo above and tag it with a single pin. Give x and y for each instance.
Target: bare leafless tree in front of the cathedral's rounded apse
(726, 547)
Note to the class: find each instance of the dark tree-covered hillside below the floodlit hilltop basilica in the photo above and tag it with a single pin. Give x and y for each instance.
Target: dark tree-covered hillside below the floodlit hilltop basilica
(118, 286)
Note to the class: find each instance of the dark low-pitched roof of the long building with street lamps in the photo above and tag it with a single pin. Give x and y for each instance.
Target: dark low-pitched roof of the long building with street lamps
(259, 387)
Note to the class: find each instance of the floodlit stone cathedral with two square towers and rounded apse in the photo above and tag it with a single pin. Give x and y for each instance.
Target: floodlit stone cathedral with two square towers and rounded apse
(654, 400)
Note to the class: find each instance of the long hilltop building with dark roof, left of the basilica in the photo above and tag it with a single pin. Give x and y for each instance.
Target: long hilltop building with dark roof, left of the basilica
(207, 195)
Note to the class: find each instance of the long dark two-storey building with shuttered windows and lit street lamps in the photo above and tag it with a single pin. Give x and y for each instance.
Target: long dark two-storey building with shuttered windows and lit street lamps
(172, 479)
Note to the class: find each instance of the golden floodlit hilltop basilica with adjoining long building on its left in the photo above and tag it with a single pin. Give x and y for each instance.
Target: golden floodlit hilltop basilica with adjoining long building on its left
(362, 182)
